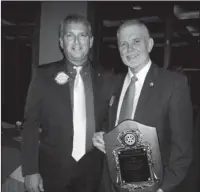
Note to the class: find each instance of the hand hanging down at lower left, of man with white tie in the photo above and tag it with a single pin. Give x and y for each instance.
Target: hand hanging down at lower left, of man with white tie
(33, 183)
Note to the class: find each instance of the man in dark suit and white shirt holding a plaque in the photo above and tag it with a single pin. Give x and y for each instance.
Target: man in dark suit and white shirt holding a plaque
(161, 99)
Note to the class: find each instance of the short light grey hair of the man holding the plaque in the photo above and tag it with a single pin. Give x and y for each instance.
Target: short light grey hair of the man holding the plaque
(135, 23)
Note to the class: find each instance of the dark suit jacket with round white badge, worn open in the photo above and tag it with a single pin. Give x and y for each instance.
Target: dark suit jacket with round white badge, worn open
(49, 105)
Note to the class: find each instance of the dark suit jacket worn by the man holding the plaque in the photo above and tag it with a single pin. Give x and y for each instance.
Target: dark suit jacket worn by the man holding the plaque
(165, 103)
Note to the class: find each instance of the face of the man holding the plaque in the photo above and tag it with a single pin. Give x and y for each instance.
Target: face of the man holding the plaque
(134, 46)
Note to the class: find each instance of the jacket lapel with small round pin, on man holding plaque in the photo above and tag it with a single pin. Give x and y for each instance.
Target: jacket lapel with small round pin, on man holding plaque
(146, 91)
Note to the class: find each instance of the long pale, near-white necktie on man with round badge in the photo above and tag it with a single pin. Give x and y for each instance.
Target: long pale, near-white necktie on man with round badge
(79, 117)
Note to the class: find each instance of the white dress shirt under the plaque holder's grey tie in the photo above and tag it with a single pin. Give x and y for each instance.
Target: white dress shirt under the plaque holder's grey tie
(141, 75)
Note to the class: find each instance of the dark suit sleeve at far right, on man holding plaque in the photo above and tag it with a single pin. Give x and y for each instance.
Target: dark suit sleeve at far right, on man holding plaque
(181, 125)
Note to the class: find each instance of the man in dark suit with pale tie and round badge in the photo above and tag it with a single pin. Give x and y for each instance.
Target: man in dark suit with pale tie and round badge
(68, 99)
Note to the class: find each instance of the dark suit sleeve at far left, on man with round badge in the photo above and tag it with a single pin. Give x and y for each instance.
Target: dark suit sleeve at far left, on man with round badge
(30, 133)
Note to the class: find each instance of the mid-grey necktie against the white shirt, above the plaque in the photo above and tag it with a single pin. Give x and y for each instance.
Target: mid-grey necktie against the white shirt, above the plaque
(127, 104)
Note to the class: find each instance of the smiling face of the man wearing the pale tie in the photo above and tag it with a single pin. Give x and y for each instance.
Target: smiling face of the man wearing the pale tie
(76, 43)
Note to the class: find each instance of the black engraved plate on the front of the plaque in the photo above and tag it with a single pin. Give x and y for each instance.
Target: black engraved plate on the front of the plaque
(134, 165)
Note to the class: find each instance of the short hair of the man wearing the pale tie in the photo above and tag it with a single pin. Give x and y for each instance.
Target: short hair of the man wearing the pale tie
(74, 18)
